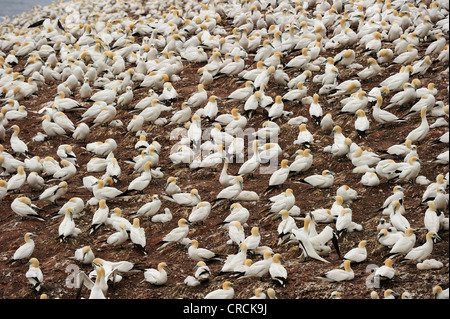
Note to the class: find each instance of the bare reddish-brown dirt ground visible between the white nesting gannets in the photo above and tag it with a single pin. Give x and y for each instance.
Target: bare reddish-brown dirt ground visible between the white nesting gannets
(55, 256)
